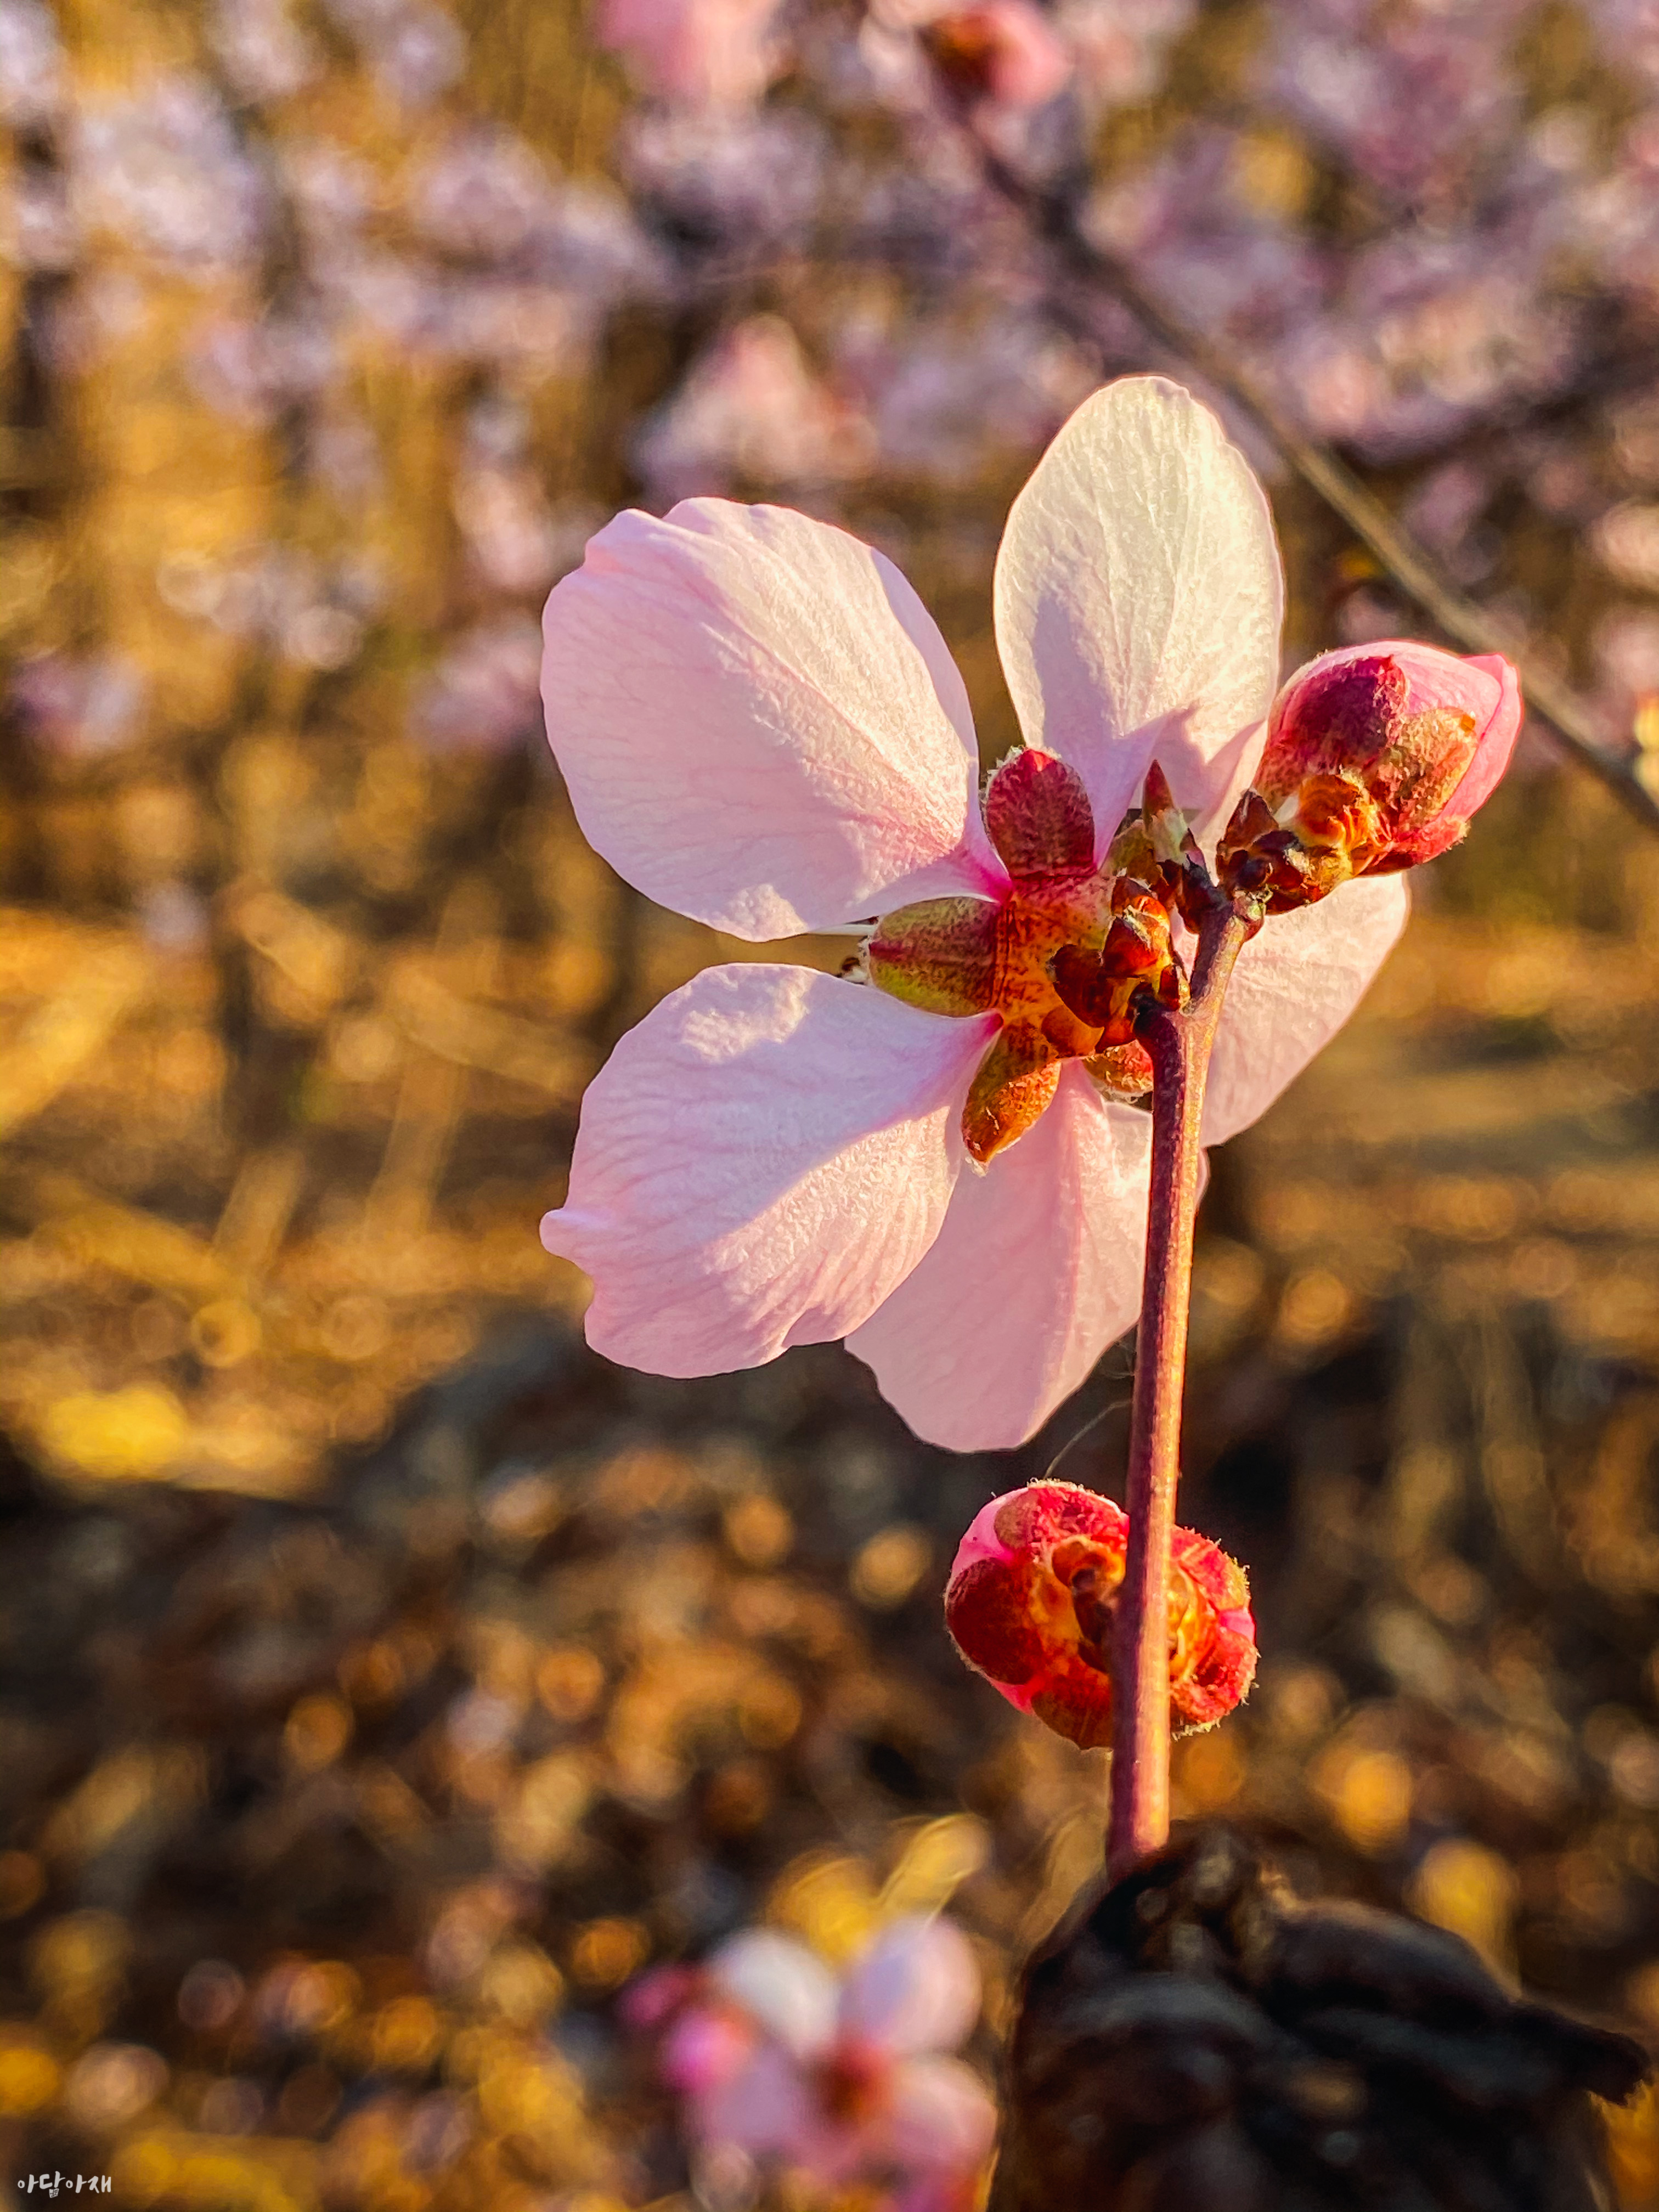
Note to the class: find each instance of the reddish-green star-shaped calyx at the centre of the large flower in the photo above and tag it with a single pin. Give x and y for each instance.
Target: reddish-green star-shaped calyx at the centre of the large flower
(1065, 957)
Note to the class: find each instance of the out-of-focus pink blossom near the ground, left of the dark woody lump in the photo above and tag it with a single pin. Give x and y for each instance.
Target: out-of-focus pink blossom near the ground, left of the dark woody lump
(844, 2080)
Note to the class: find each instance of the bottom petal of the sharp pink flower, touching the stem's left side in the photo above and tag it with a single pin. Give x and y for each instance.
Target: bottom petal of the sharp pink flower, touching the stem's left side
(1036, 1271)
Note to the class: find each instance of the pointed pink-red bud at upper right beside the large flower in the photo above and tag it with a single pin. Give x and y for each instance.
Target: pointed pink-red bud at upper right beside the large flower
(1375, 760)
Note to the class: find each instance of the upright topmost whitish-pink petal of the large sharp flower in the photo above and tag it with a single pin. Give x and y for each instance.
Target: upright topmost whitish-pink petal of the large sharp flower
(1138, 603)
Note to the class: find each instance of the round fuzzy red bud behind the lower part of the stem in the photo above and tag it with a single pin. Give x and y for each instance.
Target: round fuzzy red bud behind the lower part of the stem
(1032, 1600)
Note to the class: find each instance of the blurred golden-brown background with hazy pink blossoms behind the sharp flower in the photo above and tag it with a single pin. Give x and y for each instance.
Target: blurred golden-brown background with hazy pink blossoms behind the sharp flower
(388, 1682)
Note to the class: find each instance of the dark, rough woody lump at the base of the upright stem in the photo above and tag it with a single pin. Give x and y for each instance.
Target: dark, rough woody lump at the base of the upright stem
(1198, 2038)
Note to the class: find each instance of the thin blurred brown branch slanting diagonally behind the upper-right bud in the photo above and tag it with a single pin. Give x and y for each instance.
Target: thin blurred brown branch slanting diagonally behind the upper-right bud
(1054, 216)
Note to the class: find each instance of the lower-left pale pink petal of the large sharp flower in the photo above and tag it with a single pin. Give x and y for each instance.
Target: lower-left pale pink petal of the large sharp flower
(760, 1165)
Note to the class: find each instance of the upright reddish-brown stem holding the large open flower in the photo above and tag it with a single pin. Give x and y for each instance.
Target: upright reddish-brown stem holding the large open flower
(1180, 1047)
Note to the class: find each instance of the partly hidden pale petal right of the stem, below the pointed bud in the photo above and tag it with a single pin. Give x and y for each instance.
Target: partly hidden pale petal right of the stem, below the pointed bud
(1297, 983)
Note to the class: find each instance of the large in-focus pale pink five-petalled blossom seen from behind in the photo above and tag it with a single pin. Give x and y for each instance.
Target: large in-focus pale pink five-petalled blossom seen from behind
(760, 727)
